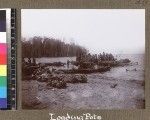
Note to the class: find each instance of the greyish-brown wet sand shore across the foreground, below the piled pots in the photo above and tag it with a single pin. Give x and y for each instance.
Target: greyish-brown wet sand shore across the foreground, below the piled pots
(96, 94)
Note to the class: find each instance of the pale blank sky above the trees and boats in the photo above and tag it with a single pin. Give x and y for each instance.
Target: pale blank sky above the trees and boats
(116, 31)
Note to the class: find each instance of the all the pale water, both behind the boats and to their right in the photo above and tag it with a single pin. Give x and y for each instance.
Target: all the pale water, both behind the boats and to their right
(114, 73)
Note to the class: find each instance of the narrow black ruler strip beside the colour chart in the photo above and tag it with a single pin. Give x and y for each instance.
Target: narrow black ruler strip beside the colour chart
(11, 84)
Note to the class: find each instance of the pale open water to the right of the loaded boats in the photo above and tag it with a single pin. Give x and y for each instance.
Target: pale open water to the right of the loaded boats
(121, 73)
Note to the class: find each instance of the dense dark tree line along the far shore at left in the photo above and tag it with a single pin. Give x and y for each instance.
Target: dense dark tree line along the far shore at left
(37, 47)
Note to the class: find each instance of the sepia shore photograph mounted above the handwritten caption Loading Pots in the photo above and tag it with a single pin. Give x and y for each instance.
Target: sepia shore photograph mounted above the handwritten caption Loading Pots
(83, 58)
